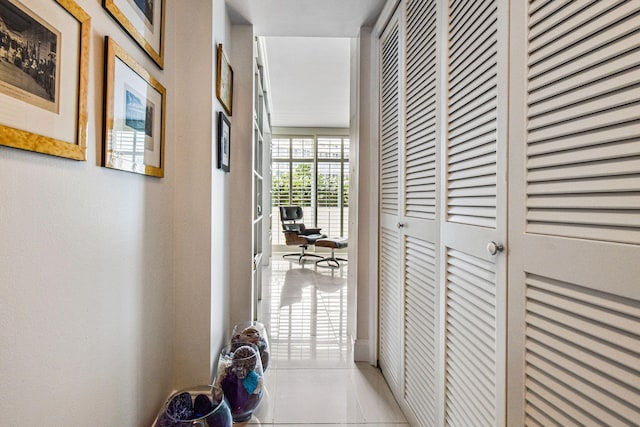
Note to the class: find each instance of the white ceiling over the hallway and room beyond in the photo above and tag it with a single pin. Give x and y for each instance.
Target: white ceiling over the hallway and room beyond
(308, 54)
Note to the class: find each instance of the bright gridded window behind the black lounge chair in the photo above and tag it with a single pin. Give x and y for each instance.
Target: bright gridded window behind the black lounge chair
(311, 172)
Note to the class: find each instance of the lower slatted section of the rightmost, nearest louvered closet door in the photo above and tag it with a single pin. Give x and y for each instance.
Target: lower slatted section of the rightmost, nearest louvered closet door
(583, 350)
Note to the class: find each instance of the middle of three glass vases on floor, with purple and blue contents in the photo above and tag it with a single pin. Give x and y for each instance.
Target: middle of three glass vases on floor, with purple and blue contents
(241, 378)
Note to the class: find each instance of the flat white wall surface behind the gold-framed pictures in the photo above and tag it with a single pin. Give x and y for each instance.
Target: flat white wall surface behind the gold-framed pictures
(86, 273)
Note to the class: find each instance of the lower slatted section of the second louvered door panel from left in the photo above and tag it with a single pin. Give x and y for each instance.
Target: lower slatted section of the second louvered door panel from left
(420, 329)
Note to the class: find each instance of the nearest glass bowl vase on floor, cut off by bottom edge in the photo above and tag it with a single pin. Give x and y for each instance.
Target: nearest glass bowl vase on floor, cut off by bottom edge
(199, 406)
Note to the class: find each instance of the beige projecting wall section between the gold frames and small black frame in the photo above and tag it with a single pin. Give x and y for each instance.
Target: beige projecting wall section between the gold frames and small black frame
(200, 239)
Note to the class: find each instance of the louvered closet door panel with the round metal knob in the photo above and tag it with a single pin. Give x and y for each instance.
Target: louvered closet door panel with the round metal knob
(474, 280)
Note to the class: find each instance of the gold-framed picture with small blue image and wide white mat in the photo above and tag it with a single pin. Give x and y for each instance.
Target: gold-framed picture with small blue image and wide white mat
(134, 112)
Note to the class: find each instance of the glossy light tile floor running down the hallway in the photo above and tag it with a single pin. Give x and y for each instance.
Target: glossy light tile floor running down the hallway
(312, 379)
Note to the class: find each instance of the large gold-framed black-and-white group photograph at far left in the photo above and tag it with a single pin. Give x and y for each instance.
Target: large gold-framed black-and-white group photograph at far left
(44, 75)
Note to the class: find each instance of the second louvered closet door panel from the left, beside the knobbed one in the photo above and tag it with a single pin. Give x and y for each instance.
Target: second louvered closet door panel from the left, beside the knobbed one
(420, 230)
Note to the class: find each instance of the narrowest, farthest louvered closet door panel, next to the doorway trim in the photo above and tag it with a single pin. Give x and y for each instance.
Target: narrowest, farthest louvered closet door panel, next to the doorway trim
(390, 289)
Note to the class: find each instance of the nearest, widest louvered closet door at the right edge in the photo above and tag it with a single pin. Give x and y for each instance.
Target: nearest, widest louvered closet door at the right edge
(574, 288)
